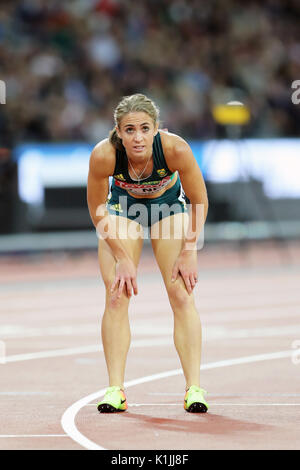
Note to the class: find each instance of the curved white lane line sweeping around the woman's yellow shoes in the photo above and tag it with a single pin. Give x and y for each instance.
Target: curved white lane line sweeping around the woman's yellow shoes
(68, 418)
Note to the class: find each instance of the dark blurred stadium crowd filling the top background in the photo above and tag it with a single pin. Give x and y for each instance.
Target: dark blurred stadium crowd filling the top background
(66, 64)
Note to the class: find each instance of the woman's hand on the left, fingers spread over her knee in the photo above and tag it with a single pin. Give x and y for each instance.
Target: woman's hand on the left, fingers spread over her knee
(125, 276)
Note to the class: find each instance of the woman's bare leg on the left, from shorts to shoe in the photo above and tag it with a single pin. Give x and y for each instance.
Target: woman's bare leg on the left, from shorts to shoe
(115, 327)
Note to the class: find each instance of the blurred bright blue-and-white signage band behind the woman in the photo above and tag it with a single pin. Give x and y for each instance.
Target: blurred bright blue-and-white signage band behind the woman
(274, 162)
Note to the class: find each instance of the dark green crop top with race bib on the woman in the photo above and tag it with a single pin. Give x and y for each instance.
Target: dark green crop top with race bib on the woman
(160, 177)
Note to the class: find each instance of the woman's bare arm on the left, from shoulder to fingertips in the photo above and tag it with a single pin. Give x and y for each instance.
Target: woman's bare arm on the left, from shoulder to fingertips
(101, 166)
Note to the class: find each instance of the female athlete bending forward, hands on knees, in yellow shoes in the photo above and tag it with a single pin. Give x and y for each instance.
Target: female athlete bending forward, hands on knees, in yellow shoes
(154, 174)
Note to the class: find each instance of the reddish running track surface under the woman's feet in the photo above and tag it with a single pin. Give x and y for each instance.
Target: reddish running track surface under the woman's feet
(51, 307)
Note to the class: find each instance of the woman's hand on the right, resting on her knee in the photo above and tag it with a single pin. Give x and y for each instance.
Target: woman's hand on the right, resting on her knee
(186, 266)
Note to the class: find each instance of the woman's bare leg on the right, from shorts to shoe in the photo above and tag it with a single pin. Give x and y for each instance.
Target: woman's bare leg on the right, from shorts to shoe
(187, 326)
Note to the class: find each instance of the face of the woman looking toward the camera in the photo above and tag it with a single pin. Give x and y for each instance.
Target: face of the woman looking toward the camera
(137, 132)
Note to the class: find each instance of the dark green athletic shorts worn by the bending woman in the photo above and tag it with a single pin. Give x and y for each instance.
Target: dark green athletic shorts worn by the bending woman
(147, 211)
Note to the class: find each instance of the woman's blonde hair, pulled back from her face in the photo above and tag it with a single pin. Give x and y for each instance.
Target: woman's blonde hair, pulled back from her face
(129, 104)
